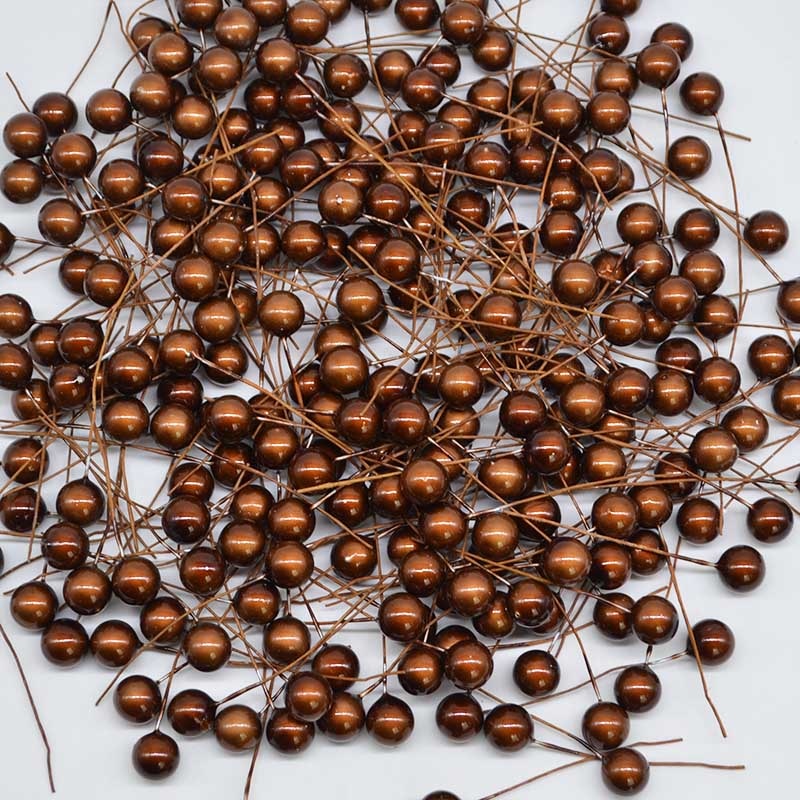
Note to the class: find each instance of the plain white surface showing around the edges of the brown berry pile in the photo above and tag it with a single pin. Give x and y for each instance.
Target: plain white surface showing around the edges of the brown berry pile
(758, 693)
